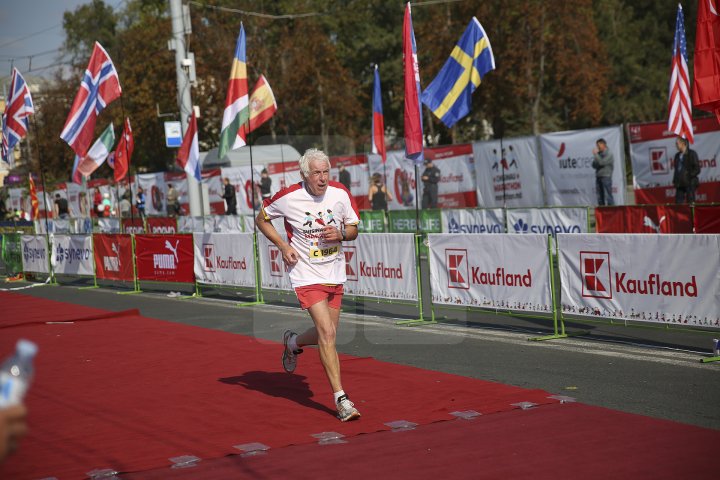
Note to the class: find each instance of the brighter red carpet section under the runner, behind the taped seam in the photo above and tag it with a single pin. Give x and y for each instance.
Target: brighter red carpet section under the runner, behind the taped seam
(130, 392)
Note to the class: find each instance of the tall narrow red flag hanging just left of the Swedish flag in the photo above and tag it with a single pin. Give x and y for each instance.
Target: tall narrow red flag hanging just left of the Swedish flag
(413, 114)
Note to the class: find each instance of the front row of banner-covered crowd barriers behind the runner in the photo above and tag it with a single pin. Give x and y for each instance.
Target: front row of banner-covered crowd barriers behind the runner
(652, 279)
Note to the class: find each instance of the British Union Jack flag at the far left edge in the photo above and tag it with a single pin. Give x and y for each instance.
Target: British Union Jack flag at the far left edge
(15, 118)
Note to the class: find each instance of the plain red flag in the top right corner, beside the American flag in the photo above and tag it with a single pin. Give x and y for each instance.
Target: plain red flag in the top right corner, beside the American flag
(706, 87)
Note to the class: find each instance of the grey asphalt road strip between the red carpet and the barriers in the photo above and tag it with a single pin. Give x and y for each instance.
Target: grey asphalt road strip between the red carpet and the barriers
(648, 372)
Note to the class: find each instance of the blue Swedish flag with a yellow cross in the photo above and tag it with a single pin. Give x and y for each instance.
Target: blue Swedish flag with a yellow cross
(449, 96)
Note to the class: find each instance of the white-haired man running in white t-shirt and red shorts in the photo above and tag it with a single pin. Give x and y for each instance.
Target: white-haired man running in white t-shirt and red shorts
(316, 261)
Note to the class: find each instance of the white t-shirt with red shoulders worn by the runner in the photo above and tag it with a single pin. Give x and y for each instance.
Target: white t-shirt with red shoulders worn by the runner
(305, 216)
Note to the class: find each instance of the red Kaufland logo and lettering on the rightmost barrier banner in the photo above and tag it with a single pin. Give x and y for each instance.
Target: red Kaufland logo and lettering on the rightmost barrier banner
(598, 280)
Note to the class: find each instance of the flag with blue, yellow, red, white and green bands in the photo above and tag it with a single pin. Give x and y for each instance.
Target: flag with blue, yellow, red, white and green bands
(236, 102)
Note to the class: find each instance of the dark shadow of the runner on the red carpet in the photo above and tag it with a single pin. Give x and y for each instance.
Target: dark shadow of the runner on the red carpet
(281, 385)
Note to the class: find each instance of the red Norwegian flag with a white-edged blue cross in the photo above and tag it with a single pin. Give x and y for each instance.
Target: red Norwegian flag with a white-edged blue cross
(99, 87)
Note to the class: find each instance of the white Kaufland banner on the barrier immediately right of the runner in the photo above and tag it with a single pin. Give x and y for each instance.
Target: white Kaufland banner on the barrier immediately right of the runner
(381, 265)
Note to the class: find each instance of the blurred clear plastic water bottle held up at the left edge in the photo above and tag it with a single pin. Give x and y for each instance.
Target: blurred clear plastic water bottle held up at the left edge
(16, 373)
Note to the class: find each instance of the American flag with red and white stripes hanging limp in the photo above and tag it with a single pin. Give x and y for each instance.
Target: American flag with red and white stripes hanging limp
(679, 103)
